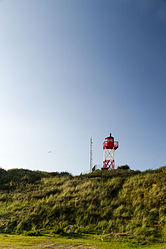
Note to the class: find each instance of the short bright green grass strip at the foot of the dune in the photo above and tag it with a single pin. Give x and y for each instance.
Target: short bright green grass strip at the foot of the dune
(19, 241)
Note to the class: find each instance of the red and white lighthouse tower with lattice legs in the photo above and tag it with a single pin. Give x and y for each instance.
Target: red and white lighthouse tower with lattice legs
(109, 147)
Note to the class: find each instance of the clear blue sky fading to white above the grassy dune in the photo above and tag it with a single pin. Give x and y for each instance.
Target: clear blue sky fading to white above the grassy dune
(72, 69)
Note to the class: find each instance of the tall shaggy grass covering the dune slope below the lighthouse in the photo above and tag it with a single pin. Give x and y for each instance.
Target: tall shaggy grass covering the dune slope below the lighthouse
(119, 202)
